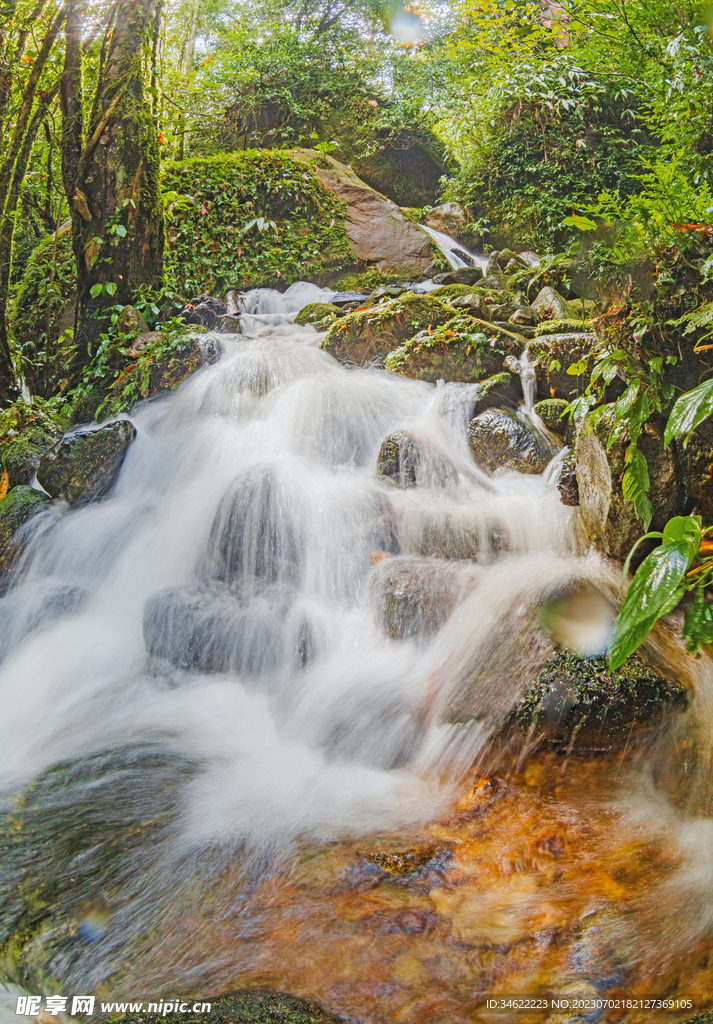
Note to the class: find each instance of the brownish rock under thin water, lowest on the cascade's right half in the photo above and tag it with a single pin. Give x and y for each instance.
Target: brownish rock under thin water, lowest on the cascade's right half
(414, 596)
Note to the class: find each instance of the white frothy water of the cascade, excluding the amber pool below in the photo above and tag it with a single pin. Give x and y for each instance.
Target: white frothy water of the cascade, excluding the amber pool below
(251, 499)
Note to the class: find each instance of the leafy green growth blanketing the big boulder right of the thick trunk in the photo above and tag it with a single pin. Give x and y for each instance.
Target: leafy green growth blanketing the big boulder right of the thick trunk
(212, 201)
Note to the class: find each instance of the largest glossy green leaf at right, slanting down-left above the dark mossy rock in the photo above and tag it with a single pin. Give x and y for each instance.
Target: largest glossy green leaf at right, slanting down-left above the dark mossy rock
(655, 591)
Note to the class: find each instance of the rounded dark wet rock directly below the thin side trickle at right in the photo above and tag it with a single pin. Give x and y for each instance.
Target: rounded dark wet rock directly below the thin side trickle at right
(502, 440)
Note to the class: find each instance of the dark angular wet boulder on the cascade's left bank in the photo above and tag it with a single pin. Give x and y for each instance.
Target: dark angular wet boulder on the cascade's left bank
(85, 465)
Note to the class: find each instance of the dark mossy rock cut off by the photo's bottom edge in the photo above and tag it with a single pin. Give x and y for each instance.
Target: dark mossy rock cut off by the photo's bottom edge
(259, 1007)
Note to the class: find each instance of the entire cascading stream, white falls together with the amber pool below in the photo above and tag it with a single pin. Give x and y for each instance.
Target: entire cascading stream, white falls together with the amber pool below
(207, 649)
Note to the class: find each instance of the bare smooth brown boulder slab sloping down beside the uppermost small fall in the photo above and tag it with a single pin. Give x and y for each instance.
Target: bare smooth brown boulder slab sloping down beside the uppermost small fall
(379, 233)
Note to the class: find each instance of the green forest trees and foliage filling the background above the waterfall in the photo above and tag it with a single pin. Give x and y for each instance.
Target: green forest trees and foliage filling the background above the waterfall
(582, 131)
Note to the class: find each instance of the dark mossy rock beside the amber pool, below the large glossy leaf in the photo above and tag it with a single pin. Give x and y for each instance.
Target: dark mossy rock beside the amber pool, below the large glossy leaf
(578, 701)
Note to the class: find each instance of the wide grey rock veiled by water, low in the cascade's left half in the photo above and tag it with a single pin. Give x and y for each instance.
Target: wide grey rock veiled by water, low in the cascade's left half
(216, 628)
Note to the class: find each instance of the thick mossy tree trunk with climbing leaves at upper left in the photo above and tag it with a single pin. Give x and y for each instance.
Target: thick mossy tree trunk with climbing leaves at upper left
(112, 181)
